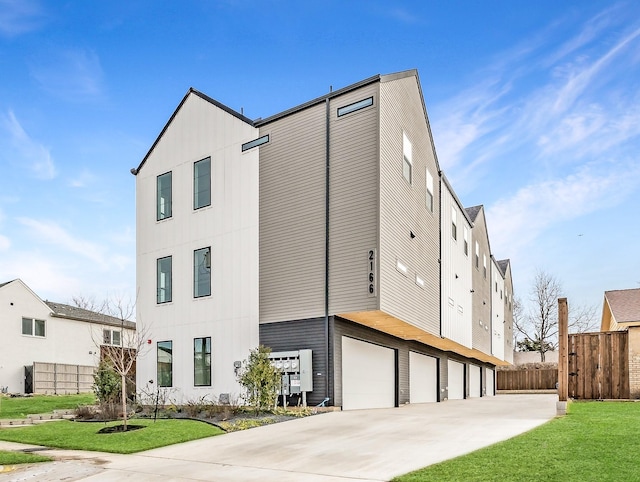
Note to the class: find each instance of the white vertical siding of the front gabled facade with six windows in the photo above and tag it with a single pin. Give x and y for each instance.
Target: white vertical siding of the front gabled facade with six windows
(229, 226)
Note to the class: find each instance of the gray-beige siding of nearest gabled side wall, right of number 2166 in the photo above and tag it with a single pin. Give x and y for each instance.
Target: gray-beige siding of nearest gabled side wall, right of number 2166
(403, 210)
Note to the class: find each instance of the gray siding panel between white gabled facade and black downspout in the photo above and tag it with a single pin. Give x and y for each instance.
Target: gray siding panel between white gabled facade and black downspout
(292, 217)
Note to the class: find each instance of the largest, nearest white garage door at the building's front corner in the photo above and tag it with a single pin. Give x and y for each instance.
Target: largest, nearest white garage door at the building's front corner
(368, 375)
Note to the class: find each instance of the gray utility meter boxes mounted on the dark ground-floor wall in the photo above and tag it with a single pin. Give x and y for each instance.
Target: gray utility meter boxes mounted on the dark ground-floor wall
(297, 371)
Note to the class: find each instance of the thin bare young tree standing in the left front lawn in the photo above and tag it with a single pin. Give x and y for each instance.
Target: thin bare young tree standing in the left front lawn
(122, 357)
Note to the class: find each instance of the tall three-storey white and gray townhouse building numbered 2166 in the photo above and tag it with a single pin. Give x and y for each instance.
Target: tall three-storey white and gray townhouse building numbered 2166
(327, 227)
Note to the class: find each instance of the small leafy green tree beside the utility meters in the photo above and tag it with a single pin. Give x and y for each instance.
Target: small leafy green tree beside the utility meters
(260, 379)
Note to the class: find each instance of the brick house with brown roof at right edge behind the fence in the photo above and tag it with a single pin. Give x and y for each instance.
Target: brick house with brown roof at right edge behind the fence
(621, 312)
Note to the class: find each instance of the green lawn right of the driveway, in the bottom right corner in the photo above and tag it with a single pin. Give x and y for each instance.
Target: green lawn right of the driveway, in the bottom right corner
(596, 441)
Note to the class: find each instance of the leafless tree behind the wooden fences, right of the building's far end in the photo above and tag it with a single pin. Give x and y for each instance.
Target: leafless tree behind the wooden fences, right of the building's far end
(539, 324)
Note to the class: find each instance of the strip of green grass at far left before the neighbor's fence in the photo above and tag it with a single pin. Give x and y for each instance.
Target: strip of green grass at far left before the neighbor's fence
(20, 407)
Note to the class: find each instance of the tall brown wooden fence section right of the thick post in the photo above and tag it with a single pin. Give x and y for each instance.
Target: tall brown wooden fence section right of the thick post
(598, 365)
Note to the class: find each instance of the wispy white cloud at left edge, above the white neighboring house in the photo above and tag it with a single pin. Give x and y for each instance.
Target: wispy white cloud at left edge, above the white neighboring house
(31, 153)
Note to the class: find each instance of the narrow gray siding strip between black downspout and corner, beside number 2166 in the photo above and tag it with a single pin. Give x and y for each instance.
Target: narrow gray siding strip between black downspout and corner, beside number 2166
(353, 197)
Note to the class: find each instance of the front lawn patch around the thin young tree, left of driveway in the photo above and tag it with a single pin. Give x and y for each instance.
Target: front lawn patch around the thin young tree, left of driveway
(66, 434)
